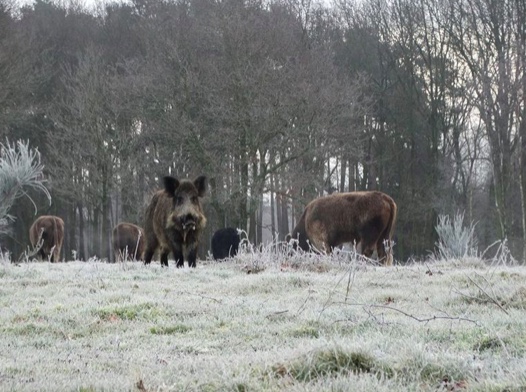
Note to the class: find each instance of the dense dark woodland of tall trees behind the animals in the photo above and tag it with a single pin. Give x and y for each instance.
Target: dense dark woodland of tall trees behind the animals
(276, 102)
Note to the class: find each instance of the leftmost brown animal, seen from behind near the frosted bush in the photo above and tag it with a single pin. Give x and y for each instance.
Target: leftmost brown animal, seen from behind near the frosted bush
(47, 232)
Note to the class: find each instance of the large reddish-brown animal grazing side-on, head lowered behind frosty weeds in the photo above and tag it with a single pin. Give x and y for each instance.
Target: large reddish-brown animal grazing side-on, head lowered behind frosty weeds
(364, 218)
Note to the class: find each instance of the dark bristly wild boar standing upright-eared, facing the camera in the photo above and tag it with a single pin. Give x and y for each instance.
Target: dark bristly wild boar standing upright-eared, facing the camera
(175, 220)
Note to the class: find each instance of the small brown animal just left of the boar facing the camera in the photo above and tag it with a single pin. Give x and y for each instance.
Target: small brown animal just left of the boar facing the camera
(128, 241)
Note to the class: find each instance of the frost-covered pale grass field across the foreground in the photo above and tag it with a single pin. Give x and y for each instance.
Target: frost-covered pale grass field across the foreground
(258, 323)
